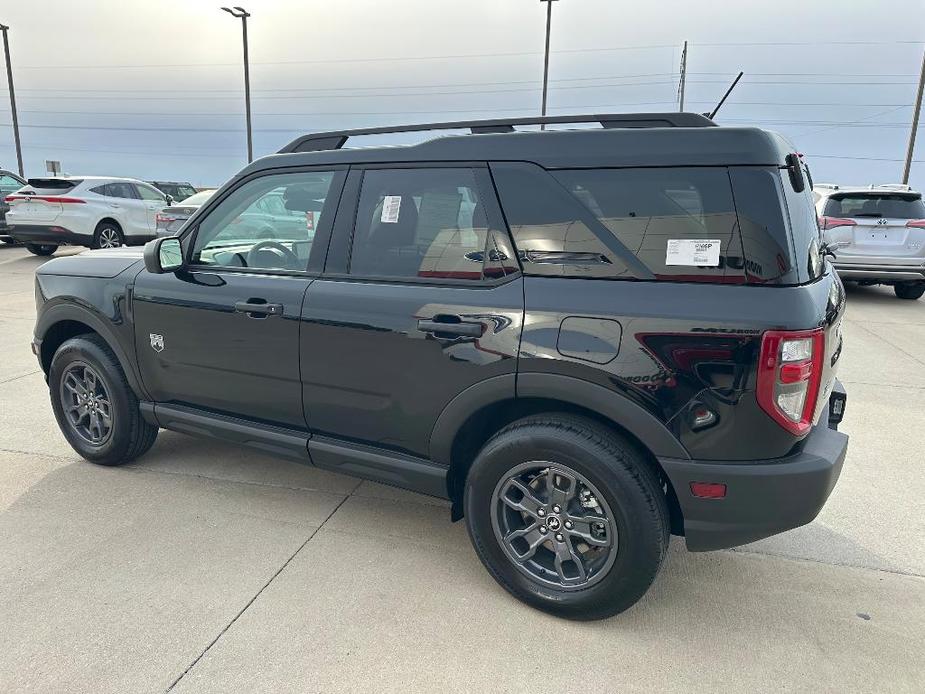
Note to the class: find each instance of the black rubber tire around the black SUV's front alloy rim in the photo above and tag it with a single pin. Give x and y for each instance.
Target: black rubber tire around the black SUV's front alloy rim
(130, 435)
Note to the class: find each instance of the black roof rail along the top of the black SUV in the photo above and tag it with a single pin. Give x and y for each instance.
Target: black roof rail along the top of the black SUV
(336, 139)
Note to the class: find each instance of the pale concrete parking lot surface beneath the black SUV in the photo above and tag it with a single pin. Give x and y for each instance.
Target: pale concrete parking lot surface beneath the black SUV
(203, 567)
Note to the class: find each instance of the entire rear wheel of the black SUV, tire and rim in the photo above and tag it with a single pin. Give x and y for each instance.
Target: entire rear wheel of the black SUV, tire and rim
(567, 516)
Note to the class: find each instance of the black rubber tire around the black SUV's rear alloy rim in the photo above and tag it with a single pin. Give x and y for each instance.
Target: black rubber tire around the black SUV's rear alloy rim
(619, 472)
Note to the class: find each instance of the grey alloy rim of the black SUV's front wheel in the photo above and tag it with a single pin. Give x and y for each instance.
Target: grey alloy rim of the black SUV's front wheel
(86, 403)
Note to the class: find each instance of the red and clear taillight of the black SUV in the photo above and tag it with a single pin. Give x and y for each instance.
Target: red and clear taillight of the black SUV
(789, 374)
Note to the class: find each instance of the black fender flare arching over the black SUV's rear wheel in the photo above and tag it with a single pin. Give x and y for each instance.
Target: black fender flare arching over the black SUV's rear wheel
(638, 421)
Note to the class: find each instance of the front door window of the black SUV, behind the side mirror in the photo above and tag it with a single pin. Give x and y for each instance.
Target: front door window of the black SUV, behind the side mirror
(268, 223)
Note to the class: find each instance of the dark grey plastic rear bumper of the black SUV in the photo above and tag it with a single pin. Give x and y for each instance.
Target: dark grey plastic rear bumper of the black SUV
(763, 497)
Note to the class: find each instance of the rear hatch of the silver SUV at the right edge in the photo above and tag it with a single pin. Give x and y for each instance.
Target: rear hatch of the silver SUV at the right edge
(886, 228)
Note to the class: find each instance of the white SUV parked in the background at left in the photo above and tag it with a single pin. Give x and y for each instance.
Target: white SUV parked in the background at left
(90, 211)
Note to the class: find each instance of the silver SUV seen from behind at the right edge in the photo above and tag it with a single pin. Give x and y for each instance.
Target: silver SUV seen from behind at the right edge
(876, 233)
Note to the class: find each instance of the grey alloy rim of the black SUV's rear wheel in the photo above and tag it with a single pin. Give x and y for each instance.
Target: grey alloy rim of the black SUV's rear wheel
(554, 525)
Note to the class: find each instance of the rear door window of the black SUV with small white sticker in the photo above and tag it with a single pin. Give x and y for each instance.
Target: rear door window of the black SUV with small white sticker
(420, 223)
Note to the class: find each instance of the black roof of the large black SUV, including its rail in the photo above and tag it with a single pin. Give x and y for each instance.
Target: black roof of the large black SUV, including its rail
(650, 139)
